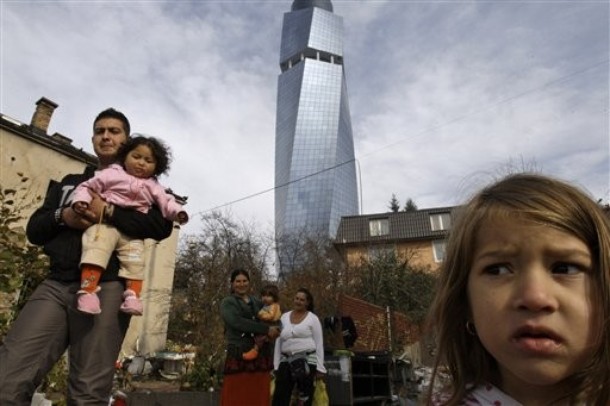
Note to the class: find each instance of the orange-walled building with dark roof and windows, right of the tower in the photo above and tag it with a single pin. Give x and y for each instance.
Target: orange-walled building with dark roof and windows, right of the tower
(418, 236)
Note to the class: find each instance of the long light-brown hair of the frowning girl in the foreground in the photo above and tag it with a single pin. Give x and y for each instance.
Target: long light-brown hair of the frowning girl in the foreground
(534, 198)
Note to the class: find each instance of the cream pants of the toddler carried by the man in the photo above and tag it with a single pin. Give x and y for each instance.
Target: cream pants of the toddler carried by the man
(101, 240)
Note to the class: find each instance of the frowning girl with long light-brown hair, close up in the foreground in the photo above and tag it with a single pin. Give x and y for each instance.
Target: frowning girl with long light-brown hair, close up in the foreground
(522, 308)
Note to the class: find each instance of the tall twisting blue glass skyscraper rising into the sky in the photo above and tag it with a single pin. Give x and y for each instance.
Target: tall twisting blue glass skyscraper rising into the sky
(315, 172)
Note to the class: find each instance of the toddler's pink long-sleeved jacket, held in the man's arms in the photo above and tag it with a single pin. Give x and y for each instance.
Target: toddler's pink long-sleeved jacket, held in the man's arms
(118, 187)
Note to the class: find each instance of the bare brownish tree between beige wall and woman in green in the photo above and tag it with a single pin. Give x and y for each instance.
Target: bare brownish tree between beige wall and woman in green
(202, 274)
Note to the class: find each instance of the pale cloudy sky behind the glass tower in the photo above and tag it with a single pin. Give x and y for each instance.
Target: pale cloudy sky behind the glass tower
(444, 95)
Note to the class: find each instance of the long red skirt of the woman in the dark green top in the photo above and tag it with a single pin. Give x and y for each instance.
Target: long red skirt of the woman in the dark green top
(246, 389)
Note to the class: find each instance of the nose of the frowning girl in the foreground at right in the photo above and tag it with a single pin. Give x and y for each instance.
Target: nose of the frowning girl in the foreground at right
(533, 291)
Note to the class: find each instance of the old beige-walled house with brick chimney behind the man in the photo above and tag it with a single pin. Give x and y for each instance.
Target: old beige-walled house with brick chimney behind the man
(27, 150)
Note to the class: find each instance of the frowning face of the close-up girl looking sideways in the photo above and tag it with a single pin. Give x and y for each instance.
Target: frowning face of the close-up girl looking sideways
(531, 297)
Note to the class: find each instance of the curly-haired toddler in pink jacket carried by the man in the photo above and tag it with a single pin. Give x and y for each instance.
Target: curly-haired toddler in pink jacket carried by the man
(131, 184)
